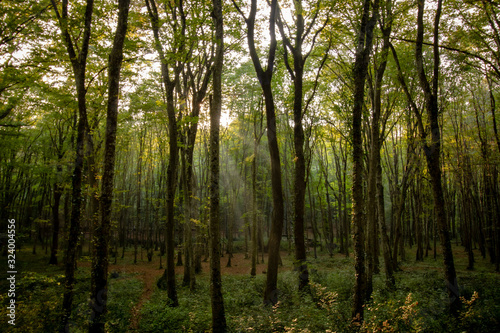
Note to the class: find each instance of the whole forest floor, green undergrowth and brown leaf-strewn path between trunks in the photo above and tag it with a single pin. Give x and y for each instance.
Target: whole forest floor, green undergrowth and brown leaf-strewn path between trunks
(418, 304)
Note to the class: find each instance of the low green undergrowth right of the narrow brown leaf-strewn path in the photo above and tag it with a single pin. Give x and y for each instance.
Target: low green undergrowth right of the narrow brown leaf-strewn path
(418, 304)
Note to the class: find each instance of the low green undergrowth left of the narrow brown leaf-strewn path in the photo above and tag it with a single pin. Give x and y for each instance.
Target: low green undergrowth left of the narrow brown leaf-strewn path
(39, 302)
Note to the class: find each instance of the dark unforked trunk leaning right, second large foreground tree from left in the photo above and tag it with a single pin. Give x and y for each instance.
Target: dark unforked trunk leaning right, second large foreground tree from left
(99, 279)
